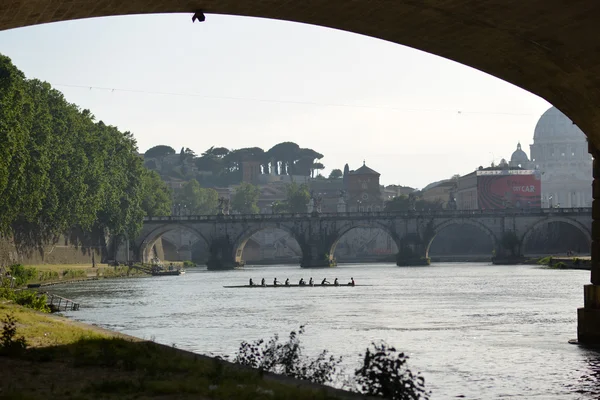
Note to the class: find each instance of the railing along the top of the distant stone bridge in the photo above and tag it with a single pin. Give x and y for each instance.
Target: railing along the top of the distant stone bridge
(378, 215)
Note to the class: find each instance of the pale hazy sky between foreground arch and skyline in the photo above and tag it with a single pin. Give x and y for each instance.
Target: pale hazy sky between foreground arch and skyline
(241, 82)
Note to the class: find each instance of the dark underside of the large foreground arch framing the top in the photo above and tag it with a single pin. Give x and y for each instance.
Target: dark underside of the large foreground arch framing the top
(544, 47)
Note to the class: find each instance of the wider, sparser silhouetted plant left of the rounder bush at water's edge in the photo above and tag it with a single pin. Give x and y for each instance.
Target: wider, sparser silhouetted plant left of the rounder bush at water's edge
(286, 358)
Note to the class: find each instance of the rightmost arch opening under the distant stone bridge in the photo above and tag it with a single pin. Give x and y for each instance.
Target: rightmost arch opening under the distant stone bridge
(556, 236)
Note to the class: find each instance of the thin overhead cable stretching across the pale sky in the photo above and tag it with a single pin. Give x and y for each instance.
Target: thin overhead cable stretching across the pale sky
(307, 103)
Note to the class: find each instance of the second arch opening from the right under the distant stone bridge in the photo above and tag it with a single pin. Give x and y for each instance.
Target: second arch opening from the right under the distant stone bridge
(461, 242)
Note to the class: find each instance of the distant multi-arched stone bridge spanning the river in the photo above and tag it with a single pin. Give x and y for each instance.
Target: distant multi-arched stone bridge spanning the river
(318, 234)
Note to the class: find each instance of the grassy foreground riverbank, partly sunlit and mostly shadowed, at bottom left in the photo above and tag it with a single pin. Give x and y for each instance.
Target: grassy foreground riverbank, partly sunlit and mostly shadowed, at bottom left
(67, 359)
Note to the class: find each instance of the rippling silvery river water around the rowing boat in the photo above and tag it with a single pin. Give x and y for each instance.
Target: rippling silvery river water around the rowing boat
(474, 330)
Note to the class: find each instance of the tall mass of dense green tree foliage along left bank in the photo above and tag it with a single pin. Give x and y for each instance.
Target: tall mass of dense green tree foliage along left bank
(59, 169)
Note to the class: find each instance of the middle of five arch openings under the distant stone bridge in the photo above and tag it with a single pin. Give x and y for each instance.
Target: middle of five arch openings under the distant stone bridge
(365, 244)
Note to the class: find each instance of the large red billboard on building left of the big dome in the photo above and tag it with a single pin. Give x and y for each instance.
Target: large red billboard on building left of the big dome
(509, 189)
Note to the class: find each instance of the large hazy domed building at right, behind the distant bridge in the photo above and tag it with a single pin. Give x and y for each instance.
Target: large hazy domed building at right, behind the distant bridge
(560, 152)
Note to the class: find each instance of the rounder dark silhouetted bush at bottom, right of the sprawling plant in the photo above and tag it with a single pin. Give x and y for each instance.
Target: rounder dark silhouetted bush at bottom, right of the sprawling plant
(384, 373)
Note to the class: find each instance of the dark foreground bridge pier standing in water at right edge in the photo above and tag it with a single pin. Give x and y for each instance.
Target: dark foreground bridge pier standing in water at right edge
(588, 317)
